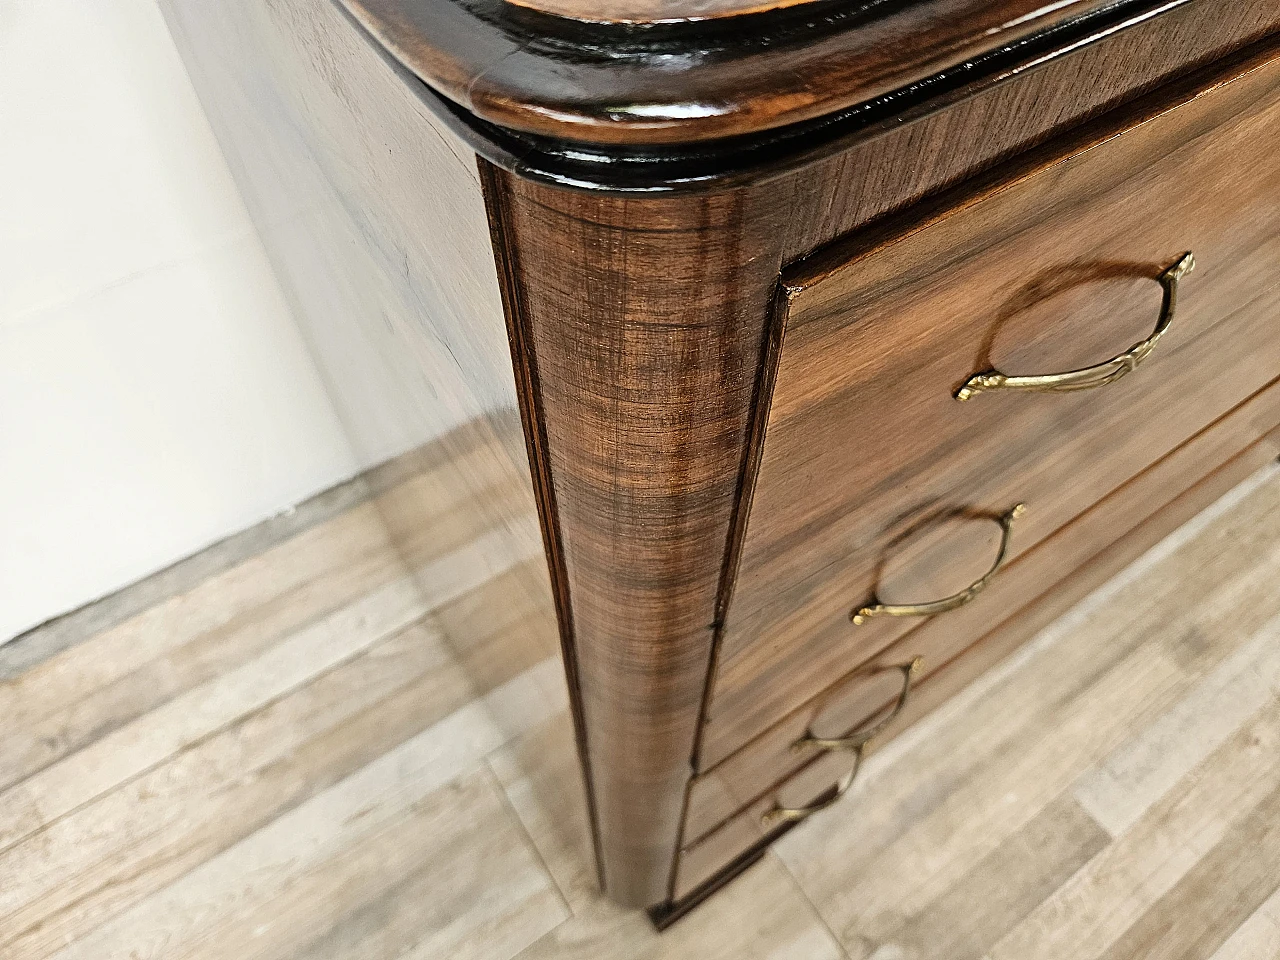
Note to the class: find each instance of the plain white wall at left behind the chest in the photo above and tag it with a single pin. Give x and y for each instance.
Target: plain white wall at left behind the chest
(156, 395)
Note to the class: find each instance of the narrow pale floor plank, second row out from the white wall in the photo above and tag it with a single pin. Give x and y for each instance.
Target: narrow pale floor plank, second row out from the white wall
(135, 748)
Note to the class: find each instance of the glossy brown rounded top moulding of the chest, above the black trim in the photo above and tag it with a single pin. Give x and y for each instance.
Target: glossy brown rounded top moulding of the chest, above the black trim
(694, 80)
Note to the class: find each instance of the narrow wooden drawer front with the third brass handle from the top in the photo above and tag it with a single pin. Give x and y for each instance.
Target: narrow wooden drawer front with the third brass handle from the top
(1246, 440)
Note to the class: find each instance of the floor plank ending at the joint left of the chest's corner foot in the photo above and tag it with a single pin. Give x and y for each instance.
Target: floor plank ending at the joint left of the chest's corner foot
(452, 876)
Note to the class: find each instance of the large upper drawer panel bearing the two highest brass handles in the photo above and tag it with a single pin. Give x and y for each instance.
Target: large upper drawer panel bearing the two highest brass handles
(872, 481)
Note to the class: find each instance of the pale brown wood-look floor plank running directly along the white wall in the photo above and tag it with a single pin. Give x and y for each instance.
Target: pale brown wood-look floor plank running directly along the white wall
(74, 698)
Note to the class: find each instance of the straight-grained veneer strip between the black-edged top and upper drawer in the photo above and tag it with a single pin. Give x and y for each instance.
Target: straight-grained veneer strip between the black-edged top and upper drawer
(941, 143)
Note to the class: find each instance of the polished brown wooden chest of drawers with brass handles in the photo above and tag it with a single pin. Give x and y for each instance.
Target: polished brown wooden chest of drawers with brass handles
(849, 345)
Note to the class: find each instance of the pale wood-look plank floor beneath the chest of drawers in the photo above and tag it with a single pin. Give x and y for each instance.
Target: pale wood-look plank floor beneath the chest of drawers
(298, 747)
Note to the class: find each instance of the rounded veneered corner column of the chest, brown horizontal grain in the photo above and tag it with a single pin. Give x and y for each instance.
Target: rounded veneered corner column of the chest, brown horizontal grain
(643, 449)
